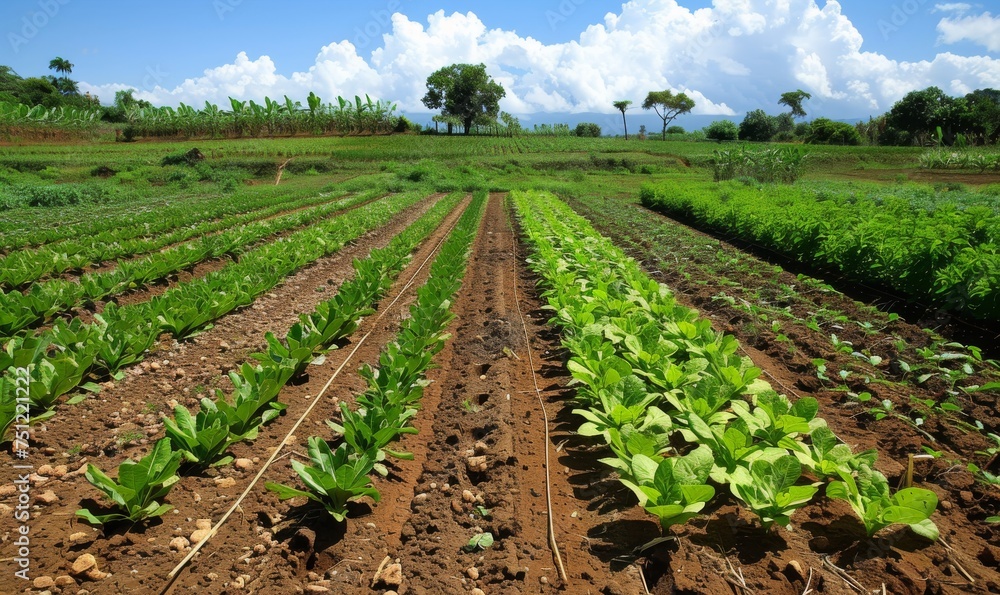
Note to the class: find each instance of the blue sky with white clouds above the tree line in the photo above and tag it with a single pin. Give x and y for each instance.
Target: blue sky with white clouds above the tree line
(854, 56)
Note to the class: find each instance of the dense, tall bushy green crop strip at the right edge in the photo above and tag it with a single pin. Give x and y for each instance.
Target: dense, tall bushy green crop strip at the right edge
(946, 257)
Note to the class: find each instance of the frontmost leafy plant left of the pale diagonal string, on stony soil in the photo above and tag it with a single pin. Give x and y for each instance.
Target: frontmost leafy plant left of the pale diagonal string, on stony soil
(139, 488)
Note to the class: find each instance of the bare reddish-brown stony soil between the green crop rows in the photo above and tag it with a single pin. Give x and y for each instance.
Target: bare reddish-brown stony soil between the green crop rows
(482, 402)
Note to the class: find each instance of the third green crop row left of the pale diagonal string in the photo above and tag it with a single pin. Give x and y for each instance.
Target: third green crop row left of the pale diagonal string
(44, 300)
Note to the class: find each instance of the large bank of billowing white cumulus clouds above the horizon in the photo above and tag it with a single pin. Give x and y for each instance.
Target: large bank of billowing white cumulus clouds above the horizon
(733, 57)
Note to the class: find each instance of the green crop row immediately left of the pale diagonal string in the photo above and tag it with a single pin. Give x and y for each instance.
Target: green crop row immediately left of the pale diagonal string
(203, 439)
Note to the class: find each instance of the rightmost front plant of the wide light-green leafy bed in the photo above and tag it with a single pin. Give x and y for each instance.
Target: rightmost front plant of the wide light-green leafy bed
(868, 494)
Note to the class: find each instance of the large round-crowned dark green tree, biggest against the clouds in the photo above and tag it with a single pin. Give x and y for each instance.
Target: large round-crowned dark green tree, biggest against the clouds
(466, 92)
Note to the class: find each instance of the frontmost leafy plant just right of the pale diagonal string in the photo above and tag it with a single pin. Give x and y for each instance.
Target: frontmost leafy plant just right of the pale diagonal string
(334, 479)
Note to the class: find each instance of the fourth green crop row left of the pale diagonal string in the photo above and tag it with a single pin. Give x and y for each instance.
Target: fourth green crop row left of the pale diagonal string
(26, 266)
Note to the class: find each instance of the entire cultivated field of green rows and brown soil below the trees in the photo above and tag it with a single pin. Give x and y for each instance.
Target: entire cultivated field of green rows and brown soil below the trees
(483, 321)
